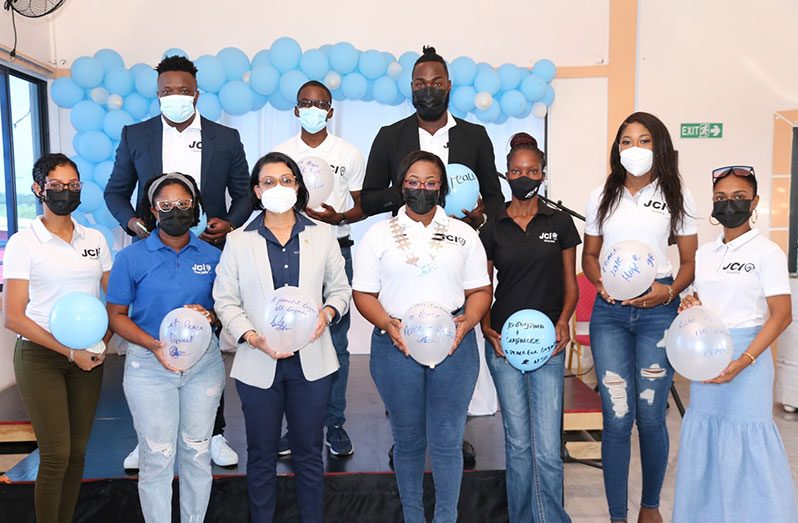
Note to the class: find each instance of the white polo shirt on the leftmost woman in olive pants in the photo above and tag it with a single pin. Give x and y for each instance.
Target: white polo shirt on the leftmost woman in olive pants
(53, 267)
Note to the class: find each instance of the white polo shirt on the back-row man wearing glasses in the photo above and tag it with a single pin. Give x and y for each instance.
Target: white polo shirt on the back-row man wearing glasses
(347, 164)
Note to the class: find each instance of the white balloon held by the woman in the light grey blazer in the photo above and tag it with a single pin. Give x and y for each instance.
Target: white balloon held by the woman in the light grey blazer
(290, 318)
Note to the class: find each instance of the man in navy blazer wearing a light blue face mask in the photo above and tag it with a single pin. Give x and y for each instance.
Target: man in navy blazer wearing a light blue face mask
(192, 143)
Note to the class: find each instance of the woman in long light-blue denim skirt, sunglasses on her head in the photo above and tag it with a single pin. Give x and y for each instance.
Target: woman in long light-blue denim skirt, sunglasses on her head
(732, 465)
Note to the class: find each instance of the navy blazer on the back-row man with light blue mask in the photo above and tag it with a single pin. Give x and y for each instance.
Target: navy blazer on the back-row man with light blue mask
(139, 157)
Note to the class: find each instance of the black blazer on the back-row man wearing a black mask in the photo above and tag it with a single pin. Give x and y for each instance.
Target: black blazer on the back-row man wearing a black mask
(468, 144)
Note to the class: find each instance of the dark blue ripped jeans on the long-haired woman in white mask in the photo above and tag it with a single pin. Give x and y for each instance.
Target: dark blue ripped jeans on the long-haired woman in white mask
(635, 377)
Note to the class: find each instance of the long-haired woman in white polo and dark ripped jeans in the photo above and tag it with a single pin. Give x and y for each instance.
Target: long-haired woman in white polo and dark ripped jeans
(642, 199)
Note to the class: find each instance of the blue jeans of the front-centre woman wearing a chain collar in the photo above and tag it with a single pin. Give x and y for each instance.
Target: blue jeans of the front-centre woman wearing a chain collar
(426, 405)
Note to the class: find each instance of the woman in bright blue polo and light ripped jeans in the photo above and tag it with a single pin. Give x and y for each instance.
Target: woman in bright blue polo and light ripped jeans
(173, 411)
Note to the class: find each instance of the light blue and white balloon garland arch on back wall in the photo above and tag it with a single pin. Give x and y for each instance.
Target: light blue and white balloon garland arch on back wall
(103, 95)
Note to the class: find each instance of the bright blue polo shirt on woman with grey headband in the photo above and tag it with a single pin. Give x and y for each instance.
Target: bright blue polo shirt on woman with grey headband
(153, 279)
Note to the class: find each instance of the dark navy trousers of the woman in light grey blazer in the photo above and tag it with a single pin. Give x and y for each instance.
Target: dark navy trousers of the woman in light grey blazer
(304, 403)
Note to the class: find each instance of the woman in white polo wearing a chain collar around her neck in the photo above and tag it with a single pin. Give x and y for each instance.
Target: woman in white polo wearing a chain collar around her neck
(422, 255)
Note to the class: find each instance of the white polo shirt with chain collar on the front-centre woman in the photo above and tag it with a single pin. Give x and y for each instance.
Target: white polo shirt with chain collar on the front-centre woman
(450, 260)
